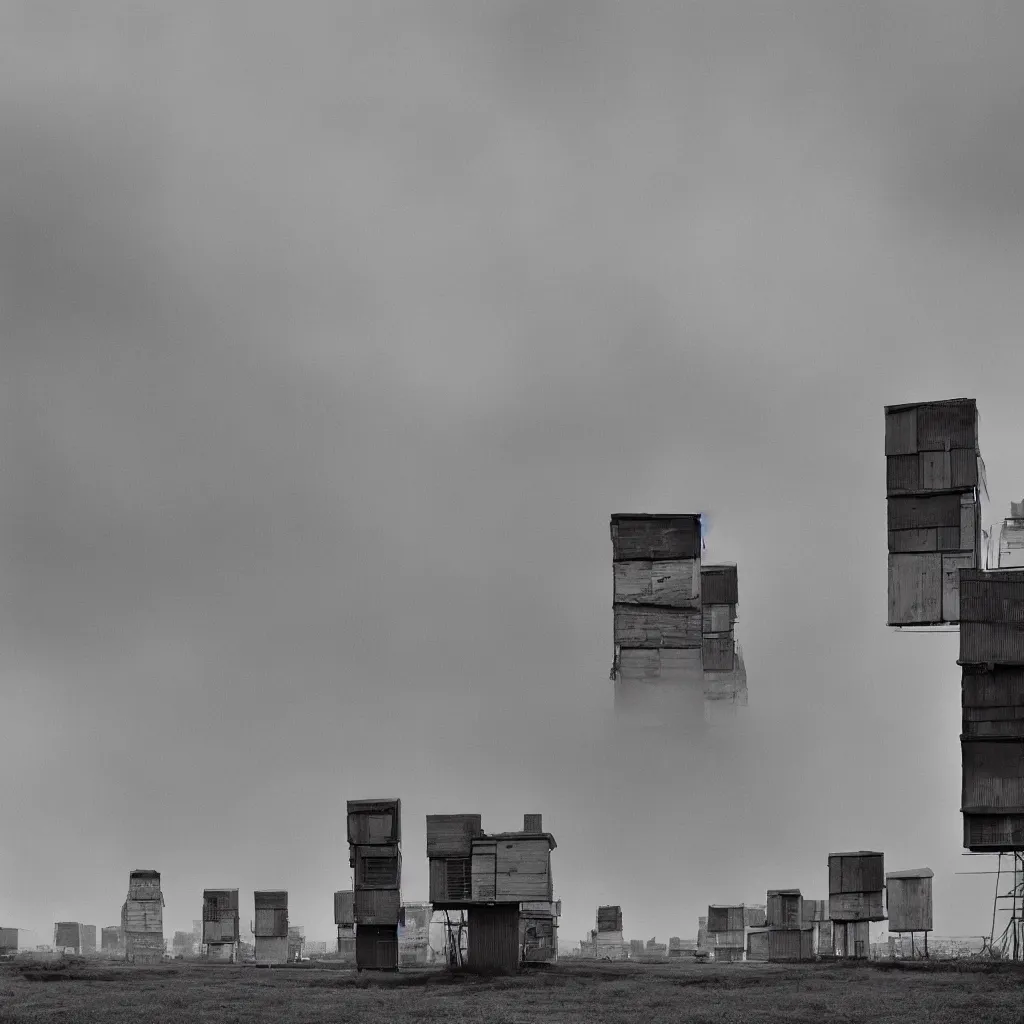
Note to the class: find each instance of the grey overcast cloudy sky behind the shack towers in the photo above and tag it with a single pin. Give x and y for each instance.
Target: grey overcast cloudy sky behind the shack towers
(333, 333)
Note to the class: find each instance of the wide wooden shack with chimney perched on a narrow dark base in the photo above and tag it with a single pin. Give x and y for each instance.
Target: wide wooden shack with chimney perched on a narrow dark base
(491, 878)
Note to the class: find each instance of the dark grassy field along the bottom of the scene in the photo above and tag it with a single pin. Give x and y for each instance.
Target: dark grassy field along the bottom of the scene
(572, 993)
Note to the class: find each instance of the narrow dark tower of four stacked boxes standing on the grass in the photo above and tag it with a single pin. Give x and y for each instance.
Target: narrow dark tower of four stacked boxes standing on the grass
(375, 857)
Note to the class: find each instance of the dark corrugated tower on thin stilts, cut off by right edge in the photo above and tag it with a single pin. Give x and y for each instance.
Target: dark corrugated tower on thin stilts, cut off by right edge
(992, 656)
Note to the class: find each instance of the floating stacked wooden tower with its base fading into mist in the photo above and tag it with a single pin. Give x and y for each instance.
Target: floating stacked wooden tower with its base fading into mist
(675, 650)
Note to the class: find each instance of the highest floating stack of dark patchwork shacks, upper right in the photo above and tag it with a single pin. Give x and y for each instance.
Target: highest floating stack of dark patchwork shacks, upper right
(933, 476)
